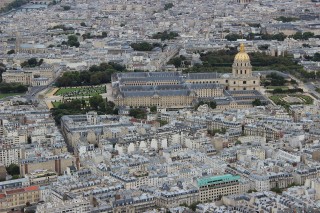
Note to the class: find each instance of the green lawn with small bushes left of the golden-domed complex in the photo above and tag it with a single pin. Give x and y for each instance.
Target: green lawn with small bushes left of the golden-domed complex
(81, 91)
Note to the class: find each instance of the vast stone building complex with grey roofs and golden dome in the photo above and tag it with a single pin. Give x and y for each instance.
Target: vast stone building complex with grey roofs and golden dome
(178, 90)
